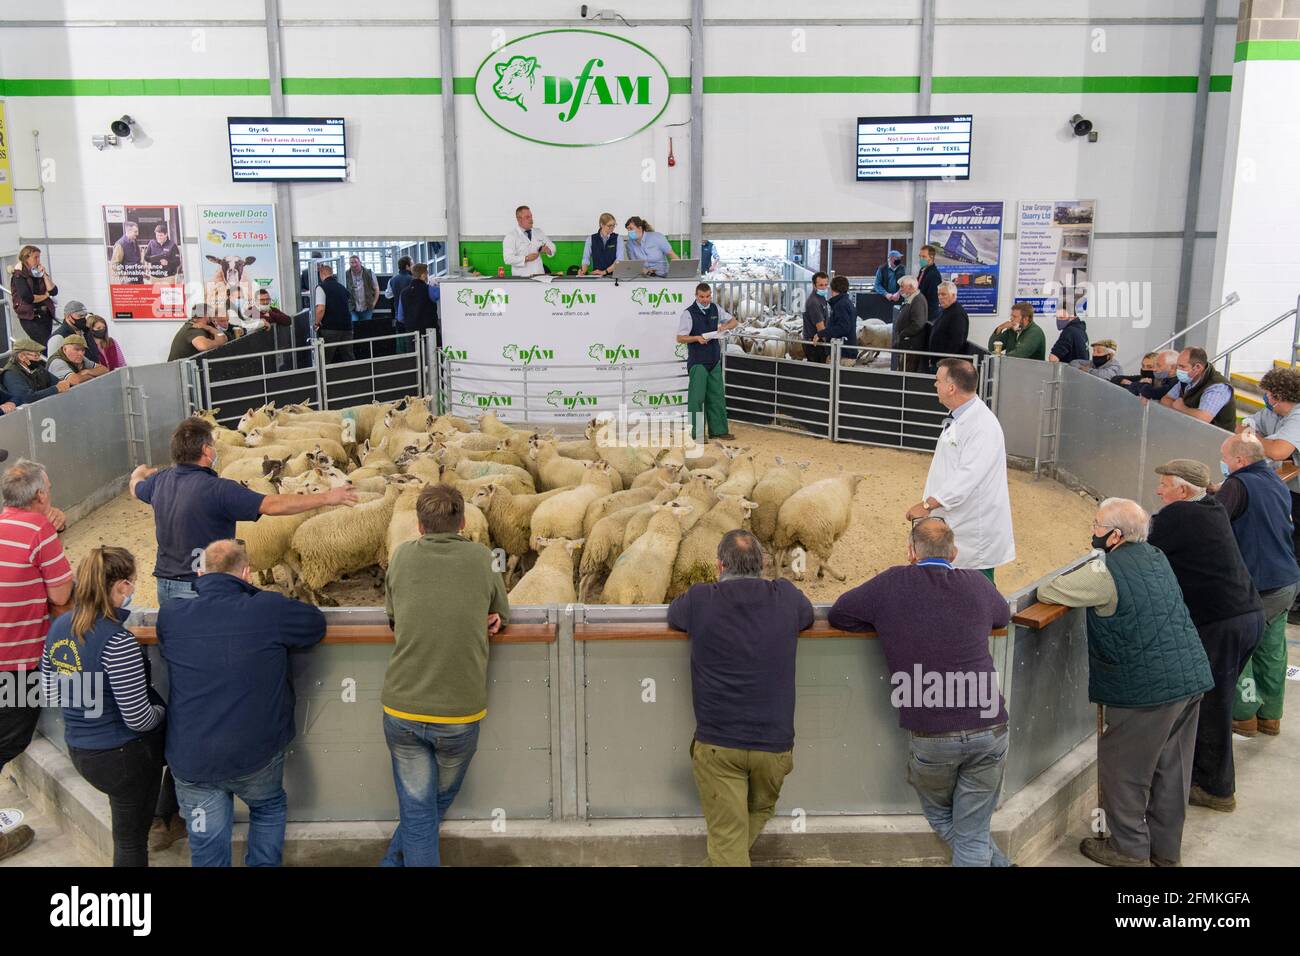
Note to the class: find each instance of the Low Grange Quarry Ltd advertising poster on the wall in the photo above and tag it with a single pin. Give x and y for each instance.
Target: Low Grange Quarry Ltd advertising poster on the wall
(1054, 249)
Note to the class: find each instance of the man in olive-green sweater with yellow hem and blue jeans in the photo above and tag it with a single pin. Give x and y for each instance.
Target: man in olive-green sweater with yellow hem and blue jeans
(444, 602)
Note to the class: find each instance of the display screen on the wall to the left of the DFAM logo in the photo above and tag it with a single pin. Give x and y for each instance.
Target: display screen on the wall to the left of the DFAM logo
(287, 149)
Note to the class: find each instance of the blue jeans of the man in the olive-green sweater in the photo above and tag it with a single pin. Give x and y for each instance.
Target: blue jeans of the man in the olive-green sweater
(430, 764)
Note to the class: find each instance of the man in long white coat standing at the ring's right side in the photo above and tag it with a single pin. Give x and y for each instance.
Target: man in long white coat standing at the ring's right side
(967, 486)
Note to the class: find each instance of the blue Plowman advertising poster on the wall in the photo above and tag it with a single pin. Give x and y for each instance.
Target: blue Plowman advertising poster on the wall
(968, 240)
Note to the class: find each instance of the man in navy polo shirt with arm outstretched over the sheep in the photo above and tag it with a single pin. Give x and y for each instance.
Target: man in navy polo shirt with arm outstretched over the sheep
(193, 507)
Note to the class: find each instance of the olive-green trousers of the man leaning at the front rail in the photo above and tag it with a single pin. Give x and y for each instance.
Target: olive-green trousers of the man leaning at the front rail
(739, 793)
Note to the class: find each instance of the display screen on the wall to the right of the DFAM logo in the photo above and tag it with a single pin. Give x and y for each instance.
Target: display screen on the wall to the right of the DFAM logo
(915, 148)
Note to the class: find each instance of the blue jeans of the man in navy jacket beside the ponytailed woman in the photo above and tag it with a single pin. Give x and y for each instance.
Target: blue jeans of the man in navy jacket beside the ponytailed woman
(209, 808)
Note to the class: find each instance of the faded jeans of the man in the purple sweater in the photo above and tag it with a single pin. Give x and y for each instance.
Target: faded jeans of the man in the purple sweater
(957, 780)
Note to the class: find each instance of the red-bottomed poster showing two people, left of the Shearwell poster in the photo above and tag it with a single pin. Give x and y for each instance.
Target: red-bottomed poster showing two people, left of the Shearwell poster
(146, 269)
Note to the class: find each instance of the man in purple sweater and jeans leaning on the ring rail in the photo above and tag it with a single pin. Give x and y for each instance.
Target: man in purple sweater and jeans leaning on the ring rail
(934, 622)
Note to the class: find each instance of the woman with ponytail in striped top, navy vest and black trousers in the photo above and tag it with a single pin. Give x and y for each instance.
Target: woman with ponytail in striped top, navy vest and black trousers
(94, 669)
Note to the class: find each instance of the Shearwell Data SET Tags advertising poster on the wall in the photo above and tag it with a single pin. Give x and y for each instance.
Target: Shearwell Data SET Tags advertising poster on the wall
(237, 254)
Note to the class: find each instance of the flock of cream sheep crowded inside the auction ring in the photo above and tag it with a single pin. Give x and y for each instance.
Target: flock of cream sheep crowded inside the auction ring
(573, 520)
